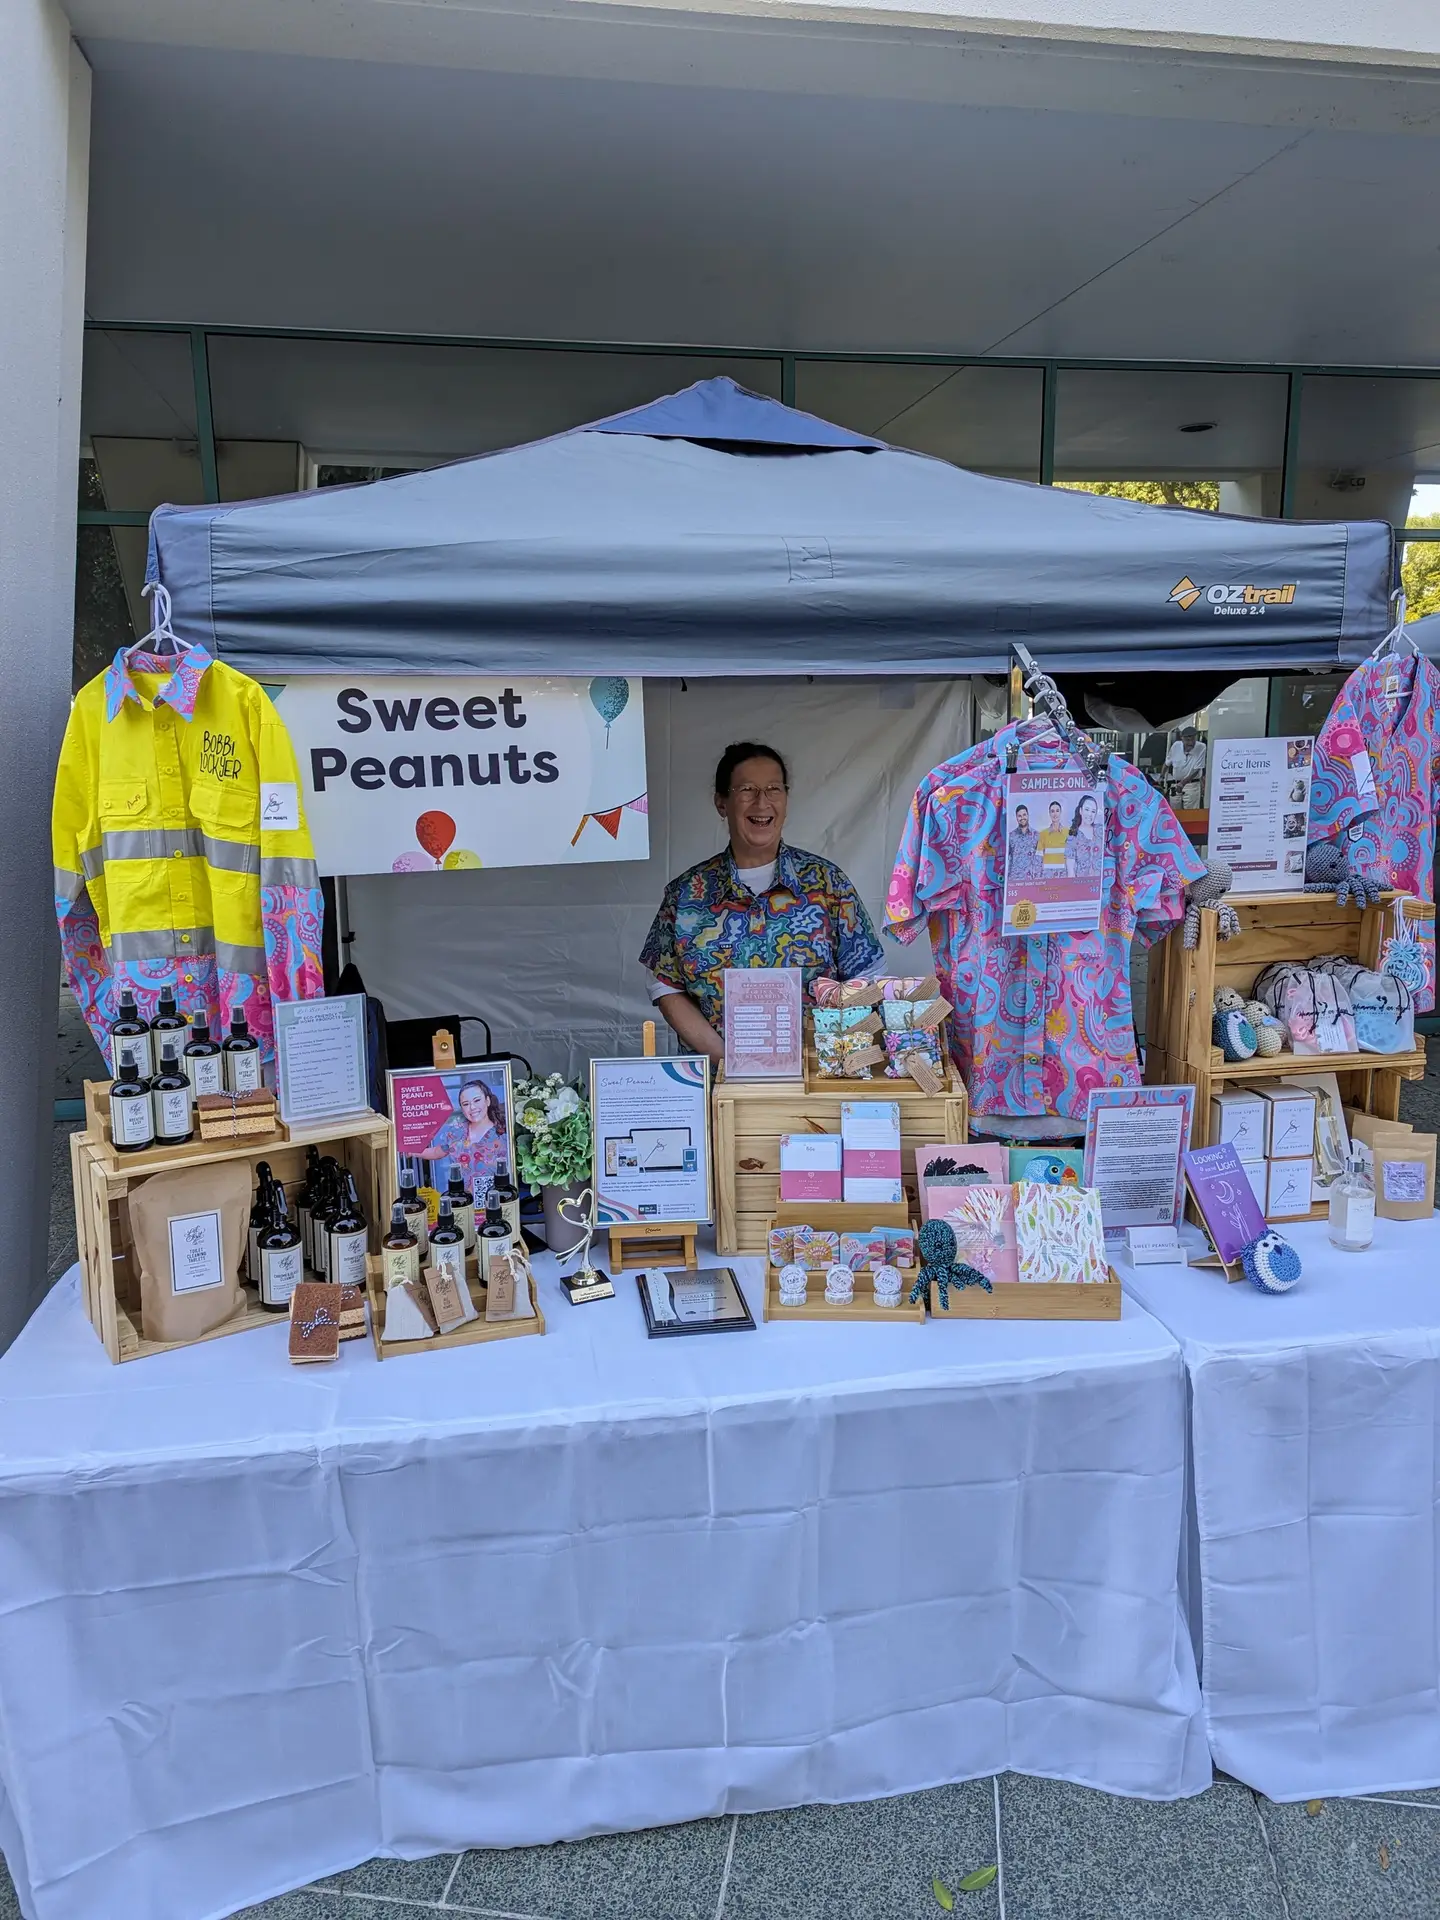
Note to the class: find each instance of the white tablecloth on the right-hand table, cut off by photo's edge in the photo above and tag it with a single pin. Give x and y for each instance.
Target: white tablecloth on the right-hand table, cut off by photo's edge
(1316, 1428)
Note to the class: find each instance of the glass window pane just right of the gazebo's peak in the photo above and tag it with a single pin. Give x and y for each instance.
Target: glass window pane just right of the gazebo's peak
(980, 418)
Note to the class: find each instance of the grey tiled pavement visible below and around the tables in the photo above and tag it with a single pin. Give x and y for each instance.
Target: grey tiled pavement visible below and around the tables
(1063, 1852)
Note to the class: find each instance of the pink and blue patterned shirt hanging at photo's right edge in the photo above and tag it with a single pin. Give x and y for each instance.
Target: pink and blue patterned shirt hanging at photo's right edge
(1395, 827)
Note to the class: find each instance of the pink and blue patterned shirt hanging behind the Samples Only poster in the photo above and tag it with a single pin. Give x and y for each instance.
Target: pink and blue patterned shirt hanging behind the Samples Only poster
(1038, 1020)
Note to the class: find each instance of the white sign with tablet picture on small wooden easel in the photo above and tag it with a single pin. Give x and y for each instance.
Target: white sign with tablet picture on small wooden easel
(652, 1170)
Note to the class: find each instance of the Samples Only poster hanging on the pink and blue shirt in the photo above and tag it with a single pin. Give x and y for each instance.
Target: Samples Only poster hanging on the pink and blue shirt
(1055, 853)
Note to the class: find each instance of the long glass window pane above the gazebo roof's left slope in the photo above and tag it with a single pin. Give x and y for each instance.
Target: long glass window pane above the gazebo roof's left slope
(377, 404)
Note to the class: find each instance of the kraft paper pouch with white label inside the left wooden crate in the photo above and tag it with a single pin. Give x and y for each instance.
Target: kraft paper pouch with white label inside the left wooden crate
(189, 1234)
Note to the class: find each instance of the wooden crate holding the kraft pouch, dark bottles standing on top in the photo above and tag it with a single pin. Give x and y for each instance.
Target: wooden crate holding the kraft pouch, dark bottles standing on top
(105, 1182)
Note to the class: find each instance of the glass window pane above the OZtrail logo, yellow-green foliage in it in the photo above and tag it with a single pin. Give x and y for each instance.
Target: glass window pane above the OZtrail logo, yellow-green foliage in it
(1174, 439)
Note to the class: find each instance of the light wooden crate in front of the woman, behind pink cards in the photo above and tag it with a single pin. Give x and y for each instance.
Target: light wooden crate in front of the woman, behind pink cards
(750, 1118)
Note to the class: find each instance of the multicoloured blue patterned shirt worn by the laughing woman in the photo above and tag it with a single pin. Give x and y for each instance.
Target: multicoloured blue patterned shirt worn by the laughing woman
(709, 921)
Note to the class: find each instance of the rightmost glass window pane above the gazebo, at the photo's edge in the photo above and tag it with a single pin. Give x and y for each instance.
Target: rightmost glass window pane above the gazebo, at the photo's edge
(1364, 444)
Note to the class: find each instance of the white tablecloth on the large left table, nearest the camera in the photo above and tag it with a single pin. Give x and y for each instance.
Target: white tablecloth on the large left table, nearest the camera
(260, 1623)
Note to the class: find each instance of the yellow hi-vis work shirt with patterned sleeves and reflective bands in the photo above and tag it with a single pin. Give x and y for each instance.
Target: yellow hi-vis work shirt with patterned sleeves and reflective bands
(181, 850)
